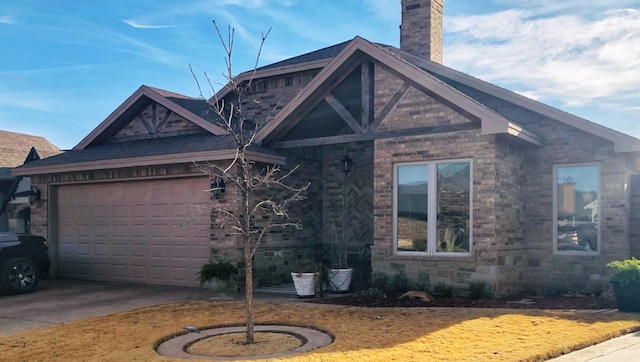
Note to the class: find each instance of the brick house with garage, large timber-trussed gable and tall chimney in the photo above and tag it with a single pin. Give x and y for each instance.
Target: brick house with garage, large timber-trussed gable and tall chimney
(453, 180)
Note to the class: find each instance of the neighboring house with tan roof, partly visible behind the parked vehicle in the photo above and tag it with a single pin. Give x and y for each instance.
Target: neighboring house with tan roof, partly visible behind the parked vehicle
(17, 149)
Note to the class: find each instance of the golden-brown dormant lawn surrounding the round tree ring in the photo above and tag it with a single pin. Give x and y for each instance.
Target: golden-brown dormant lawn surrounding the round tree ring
(371, 334)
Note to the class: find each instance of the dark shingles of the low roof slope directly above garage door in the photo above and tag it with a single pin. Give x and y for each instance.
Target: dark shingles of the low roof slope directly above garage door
(146, 147)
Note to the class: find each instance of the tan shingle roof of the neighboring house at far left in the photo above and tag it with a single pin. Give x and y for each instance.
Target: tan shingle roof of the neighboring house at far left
(15, 147)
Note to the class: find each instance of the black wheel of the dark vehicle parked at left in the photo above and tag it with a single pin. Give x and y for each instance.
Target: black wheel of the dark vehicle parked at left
(19, 275)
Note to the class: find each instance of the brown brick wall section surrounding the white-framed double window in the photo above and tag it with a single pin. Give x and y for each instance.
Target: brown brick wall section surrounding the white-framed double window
(455, 271)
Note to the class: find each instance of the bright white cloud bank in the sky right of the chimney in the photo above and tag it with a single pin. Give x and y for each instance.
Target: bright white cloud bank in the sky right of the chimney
(575, 59)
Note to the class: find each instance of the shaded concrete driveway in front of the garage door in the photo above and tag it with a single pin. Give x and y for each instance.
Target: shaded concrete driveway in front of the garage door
(61, 301)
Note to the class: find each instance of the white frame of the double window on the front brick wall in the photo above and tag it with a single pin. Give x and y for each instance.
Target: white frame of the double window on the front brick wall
(431, 210)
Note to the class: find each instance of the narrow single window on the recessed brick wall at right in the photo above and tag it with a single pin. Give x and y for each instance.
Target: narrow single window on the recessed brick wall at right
(575, 206)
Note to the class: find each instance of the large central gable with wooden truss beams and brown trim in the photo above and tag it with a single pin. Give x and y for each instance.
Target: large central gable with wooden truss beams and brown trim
(343, 103)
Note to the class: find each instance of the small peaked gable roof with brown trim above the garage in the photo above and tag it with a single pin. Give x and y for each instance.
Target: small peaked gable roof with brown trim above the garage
(194, 110)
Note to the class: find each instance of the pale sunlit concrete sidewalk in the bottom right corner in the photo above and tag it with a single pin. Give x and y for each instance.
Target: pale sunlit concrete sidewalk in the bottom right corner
(625, 348)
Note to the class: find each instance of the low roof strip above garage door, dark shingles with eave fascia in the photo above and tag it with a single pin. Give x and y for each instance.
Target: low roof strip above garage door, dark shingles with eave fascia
(155, 151)
